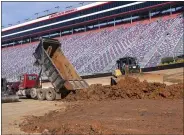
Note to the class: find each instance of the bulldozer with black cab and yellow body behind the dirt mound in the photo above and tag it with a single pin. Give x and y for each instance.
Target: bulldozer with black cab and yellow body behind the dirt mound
(125, 66)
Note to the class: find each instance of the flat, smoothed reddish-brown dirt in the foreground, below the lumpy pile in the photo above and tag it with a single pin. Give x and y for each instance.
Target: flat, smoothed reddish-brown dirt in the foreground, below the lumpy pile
(108, 117)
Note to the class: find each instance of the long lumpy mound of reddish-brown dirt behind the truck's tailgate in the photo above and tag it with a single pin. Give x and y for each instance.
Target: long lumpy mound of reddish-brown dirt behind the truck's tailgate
(128, 88)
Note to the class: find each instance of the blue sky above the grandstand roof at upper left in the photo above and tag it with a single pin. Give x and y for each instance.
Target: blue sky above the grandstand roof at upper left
(12, 12)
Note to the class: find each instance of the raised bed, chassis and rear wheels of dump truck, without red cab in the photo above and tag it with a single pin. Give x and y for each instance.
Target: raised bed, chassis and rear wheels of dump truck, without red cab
(58, 69)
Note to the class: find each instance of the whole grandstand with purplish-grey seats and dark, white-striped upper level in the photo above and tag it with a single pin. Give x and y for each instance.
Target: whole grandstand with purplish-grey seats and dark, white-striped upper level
(94, 36)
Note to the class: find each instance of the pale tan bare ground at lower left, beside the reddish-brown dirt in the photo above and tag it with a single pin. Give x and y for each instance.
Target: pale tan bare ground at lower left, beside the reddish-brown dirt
(13, 113)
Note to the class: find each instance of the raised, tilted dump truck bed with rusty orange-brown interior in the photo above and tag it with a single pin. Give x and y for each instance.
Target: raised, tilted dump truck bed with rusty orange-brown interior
(56, 66)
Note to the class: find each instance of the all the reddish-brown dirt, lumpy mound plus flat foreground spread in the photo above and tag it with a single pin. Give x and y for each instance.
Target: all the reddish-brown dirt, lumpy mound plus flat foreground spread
(115, 113)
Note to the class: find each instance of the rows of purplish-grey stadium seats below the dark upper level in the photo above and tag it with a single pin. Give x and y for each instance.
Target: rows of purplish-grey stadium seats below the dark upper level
(97, 51)
